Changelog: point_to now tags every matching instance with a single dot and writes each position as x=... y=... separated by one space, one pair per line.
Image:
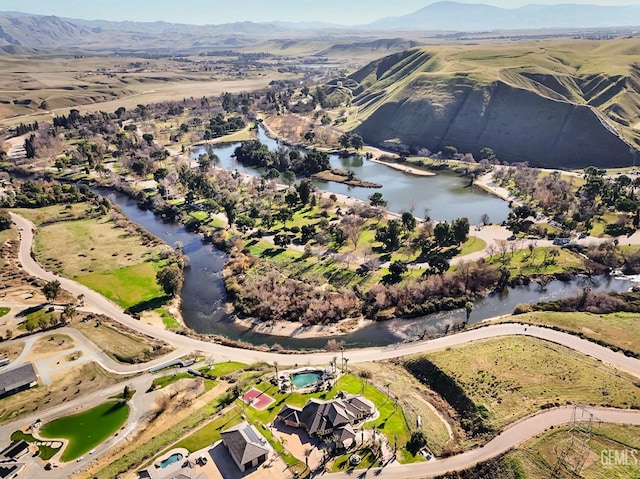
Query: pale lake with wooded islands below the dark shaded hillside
x=446 y=196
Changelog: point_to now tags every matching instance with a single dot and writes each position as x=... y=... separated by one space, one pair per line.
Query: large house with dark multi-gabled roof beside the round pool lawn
x=334 y=417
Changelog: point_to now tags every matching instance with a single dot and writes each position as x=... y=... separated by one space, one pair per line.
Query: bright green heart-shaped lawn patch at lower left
x=88 y=429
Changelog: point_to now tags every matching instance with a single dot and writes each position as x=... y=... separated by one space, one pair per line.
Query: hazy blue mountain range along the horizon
x=38 y=31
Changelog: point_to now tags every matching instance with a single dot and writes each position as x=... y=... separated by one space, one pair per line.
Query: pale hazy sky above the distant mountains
x=226 y=11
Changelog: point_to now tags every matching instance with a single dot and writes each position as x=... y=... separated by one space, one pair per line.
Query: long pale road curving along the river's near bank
x=98 y=303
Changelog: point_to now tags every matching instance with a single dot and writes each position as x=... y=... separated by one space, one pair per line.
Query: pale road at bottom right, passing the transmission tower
x=512 y=436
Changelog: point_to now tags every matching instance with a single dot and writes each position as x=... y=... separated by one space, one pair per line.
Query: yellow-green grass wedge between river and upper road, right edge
x=618 y=329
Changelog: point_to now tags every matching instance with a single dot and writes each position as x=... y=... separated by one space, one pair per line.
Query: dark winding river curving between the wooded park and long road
x=203 y=294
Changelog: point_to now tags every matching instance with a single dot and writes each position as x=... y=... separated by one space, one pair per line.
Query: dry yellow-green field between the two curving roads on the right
x=516 y=376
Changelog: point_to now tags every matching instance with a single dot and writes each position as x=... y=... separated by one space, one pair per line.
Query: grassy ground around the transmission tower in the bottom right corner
x=612 y=452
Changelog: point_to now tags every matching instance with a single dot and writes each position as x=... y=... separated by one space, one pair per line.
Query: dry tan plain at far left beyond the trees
x=36 y=87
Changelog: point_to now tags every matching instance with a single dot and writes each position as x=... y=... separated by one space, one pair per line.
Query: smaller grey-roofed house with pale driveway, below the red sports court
x=247 y=446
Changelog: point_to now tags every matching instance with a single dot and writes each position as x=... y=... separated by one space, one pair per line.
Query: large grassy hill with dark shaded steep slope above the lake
x=566 y=103
